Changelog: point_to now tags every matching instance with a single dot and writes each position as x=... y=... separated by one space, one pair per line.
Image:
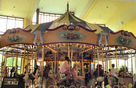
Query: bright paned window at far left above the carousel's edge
x=10 y=22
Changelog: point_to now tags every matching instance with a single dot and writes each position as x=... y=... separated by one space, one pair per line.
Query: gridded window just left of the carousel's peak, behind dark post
x=45 y=17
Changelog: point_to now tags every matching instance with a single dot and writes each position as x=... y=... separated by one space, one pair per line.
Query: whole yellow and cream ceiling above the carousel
x=113 y=13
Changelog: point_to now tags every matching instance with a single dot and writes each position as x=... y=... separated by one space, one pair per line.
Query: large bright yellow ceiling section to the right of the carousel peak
x=113 y=13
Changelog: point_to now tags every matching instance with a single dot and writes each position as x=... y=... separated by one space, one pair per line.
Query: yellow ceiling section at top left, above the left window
x=18 y=8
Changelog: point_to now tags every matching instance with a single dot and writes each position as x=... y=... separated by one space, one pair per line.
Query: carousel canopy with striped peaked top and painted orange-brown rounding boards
x=67 y=29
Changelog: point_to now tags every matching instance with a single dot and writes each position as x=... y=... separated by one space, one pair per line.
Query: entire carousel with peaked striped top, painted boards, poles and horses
x=43 y=49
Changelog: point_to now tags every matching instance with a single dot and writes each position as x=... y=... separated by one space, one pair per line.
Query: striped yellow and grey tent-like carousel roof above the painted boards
x=68 y=19
